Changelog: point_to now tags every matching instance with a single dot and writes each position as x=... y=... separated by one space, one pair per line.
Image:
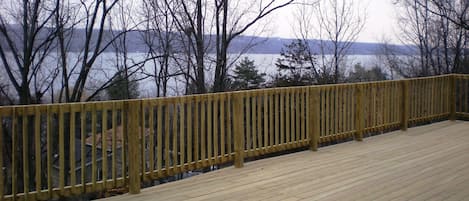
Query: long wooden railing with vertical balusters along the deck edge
x=62 y=150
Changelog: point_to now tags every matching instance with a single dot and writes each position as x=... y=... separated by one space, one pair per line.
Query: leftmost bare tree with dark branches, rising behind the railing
x=26 y=42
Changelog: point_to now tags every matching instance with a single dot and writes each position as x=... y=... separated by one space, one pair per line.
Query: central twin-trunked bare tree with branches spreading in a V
x=229 y=19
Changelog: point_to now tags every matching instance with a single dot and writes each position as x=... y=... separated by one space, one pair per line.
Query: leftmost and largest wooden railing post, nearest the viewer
x=133 y=109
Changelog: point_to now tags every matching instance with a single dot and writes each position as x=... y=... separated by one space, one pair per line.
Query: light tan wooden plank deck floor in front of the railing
x=424 y=163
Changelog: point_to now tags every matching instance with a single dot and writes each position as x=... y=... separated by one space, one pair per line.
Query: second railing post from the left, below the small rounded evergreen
x=238 y=118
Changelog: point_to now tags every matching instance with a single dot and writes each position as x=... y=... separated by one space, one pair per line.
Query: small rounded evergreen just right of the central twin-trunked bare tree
x=246 y=76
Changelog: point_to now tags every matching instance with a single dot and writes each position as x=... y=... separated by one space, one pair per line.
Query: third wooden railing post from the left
x=314 y=106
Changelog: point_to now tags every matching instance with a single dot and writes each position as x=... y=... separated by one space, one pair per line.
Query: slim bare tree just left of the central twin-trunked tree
x=163 y=43
